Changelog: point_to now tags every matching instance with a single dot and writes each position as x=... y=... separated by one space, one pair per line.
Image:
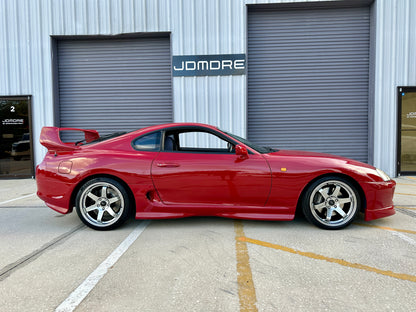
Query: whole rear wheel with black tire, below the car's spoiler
x=102 y=204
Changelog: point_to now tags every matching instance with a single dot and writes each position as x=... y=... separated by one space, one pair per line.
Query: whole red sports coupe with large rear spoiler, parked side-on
x=188 y=169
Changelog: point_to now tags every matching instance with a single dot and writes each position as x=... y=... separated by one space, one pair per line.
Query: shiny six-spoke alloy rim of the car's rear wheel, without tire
x=101 y=204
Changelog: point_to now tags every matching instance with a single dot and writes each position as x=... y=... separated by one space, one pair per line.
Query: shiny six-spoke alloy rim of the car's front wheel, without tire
x=333 y=203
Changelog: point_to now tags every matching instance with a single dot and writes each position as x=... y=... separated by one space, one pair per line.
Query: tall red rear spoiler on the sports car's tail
x=50 y=138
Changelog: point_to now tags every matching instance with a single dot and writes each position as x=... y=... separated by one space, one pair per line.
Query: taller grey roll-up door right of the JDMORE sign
x=308 y=79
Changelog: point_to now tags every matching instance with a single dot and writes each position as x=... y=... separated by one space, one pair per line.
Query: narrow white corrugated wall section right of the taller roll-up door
x=395 y=65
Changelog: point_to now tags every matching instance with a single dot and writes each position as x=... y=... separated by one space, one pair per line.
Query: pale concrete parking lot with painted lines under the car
x=52 y=262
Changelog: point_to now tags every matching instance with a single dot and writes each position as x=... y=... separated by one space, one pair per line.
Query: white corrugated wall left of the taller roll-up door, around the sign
x=197 y=27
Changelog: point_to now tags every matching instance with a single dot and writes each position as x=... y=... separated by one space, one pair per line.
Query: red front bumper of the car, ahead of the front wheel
x=379 y=196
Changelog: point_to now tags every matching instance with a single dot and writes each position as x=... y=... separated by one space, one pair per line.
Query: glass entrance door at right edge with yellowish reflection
x=407 y=130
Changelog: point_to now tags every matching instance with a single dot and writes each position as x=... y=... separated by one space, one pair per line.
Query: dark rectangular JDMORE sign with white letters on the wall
x=209 y=65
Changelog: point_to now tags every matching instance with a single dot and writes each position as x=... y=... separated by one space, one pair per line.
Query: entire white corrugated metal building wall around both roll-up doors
x=196 y=27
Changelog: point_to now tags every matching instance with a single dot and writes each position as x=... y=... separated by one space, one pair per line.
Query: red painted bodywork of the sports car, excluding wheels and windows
x=246 y=185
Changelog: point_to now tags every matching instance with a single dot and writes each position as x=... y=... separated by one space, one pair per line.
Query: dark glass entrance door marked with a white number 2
x=15 y=137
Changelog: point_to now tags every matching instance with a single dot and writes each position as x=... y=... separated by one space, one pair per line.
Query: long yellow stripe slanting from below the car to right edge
x=312 y=255
